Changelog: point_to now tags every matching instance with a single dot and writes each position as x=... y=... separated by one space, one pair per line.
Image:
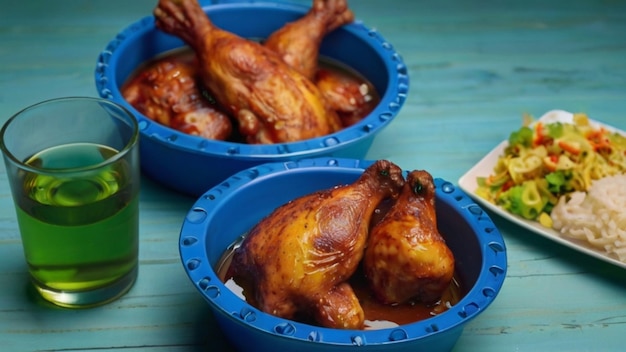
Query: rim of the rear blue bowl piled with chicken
x=390 y=103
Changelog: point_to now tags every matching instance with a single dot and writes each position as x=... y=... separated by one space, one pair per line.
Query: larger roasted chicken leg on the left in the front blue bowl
x=298 y=259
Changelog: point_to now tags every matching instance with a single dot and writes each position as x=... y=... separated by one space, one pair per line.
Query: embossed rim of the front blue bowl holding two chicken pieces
x=477 y=299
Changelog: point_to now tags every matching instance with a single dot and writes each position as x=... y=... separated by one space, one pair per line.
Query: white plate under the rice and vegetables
x=485 y=167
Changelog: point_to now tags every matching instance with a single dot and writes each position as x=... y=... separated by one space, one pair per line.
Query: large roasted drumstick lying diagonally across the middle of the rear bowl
x=271 y=101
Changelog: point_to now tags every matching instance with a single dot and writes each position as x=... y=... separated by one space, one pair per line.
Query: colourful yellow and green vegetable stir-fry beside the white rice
x=543 y=162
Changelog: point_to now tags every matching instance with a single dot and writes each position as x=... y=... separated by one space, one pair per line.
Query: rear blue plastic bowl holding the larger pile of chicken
x=192 y=164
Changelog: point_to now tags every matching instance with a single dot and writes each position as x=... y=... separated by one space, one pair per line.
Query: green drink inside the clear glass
x=94 y=210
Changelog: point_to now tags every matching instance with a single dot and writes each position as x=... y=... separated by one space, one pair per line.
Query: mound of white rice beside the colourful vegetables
x=597 y=217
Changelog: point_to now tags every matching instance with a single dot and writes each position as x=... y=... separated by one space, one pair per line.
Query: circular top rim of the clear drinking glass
x=133 y=140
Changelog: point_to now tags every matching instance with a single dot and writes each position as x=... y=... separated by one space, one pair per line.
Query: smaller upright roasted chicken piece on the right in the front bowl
x=406 y=257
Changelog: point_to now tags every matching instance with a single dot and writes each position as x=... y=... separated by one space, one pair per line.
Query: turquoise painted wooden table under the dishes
x=475 y=68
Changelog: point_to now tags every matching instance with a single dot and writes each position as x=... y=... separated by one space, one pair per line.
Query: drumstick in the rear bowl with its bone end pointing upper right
x=298 y=42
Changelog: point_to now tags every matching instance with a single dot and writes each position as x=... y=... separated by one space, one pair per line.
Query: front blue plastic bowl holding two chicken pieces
x=227 y=211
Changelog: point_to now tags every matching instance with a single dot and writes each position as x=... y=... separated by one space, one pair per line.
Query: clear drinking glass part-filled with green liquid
x=73 y=167
